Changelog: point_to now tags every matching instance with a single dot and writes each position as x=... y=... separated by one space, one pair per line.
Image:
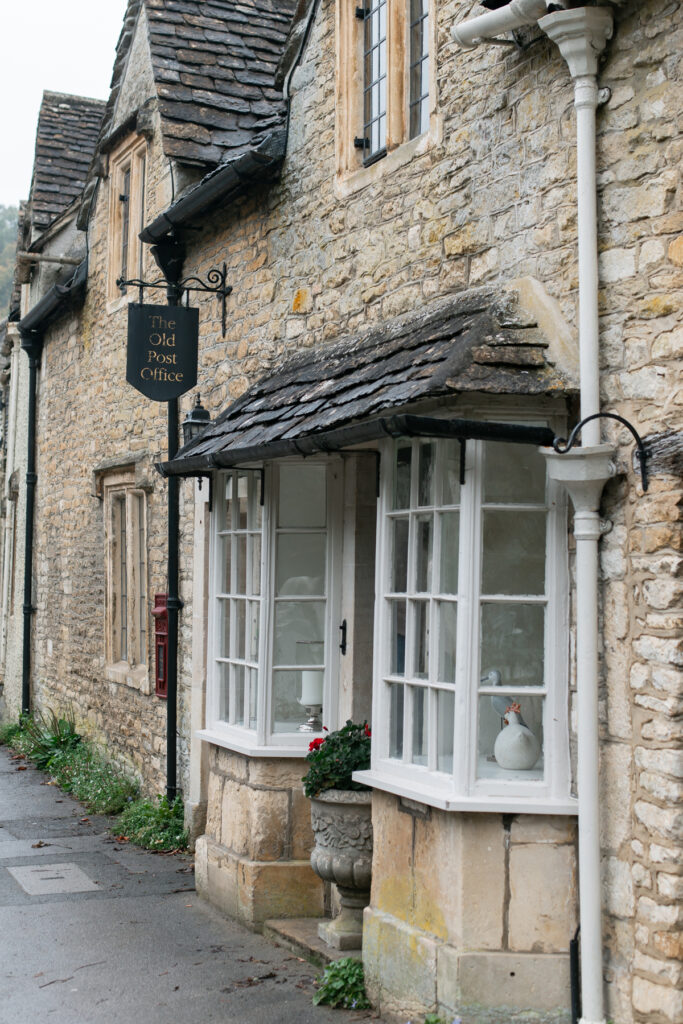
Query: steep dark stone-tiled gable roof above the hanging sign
x=215 y=66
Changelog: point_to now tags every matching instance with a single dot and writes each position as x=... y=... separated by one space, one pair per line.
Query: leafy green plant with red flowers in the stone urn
x=334 y=759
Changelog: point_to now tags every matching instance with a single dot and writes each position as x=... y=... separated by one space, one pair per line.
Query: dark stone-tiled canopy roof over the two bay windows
x=331 y=397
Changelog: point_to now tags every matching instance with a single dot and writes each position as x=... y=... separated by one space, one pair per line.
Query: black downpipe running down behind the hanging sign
x=169 y=257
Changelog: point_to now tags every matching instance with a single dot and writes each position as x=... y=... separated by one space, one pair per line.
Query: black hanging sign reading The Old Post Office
x=162 y=351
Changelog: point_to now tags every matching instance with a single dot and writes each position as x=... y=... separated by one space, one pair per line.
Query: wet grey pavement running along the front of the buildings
x=93 y=930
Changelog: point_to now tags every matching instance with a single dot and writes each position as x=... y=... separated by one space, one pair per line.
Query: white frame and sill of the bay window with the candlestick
x=262 y=742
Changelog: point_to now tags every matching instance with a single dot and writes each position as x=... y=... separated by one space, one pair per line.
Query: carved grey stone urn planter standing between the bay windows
x=344 y=855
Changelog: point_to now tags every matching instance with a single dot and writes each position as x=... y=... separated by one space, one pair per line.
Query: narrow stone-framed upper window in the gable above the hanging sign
x=127 y=211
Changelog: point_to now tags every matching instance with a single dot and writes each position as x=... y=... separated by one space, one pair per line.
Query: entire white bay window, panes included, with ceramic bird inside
x=471 y=622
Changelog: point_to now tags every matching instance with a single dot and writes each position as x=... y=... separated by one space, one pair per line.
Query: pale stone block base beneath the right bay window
x=471 y=914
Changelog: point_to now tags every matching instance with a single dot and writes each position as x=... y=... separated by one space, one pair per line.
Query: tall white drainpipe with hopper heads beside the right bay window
x=581 y=35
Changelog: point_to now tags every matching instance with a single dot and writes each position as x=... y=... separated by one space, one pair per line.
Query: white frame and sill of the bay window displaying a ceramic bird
x=462 y=791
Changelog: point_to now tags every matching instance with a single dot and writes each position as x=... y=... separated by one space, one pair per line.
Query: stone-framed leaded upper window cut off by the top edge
x=386 y=74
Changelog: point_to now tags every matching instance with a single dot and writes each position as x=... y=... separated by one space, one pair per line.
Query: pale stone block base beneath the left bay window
x=253 y=862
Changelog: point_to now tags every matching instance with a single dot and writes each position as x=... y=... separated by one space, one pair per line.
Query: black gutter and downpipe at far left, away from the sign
x=32 y=329
